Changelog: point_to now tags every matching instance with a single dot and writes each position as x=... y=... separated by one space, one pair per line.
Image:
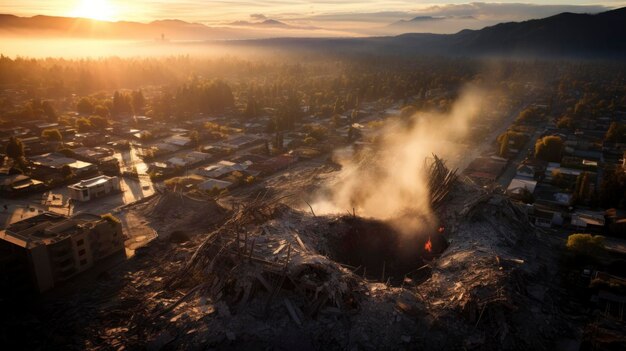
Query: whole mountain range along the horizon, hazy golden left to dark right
x=565 y=34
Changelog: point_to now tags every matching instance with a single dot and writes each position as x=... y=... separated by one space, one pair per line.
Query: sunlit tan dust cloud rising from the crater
x=389 y=181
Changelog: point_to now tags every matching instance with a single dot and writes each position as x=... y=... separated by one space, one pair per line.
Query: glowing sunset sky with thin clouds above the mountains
x=359 y=16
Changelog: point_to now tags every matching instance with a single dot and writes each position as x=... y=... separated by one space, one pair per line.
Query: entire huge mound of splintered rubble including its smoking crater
x=273 y=277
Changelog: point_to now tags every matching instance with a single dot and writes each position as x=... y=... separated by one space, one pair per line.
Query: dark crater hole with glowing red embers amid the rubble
x=380 y=252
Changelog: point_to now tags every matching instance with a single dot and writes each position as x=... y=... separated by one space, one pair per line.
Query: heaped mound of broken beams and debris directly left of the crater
x=265 y=256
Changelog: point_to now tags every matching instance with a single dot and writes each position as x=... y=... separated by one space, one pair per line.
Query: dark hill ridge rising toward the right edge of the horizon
x=566 y=34
